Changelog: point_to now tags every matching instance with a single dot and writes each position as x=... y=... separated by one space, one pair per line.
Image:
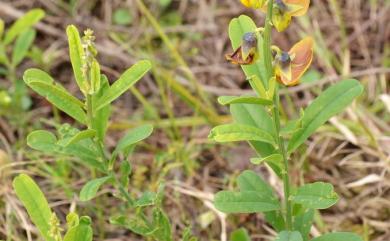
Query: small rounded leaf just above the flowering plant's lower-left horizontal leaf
x=249 y=181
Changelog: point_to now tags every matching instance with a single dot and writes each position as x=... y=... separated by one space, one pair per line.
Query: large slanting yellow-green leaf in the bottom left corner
x=35 y=202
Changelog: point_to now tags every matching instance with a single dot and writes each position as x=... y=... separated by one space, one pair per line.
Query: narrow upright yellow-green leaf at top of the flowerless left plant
x=76 y=53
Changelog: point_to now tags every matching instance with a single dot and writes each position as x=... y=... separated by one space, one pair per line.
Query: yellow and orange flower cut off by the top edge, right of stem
x=284 y=10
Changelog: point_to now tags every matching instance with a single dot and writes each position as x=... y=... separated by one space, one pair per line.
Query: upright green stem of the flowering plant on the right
x=276 y=115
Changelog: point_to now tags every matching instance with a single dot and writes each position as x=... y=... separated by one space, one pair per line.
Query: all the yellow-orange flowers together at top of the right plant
x=289 y=66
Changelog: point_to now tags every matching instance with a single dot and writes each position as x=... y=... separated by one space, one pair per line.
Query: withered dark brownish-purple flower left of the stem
x=247 y=53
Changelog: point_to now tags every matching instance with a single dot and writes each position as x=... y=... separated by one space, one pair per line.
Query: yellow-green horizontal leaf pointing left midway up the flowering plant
x=239 y=132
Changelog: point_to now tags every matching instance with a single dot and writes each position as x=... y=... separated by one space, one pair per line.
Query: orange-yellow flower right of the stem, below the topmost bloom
x=291 y=65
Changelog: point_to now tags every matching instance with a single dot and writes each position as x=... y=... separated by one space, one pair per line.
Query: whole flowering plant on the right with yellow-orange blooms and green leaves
x=257 y=121
